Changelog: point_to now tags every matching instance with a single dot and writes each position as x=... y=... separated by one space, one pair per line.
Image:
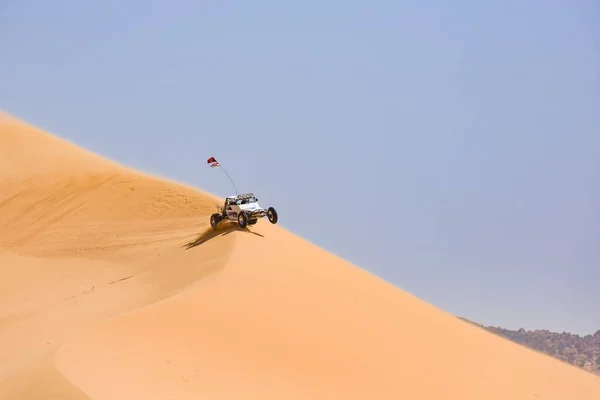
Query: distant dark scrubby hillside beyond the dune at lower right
x=583 y=352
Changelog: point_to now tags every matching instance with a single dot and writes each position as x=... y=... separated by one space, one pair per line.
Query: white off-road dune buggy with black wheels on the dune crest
x=244 y=210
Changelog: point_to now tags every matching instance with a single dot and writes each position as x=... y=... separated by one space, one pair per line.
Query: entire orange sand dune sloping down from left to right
x=111 y=290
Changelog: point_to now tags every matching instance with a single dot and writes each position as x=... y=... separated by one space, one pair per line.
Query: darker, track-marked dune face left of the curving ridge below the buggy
x=83 y=240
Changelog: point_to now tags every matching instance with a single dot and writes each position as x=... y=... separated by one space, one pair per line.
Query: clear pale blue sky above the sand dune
x=463 y=137
